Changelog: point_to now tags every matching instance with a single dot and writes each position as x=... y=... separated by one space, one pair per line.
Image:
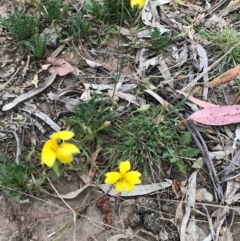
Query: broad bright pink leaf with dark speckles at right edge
x=217 y=116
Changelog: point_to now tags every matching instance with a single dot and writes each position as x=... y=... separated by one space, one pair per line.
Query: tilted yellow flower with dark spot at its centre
x=56 y=148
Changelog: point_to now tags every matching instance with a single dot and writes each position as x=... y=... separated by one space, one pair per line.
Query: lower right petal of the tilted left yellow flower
x=64 y=153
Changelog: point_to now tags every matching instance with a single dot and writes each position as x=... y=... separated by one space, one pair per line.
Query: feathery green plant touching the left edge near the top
x=20 y=25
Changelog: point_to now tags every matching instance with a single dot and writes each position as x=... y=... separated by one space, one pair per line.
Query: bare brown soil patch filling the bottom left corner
x=47 y=218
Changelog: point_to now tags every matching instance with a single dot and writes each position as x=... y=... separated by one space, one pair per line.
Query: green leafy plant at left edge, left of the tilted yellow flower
x=13 y=177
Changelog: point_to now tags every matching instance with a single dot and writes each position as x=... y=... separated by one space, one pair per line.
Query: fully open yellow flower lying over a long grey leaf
x=124 y=179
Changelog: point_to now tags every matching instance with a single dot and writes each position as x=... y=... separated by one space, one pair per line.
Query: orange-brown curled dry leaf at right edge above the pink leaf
x=225 y=77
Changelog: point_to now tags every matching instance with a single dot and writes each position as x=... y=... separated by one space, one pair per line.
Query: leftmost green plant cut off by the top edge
x=49 y=10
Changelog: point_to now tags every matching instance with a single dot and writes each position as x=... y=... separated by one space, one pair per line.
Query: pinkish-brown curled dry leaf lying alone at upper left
x=60 y=66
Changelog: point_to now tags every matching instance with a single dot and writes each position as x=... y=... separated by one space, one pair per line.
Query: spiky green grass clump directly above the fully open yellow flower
x=145 y=139
